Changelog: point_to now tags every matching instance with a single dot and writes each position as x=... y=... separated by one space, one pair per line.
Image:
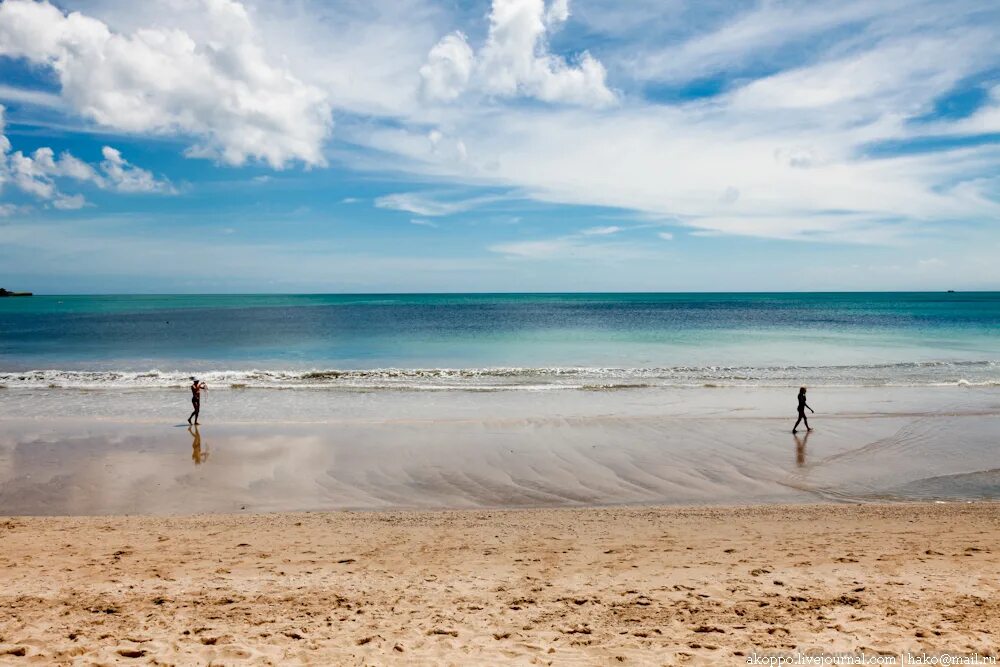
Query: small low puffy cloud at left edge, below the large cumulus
x=37 y=174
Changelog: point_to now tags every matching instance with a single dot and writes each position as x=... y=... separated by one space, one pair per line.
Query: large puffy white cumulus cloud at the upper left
x=222 y=91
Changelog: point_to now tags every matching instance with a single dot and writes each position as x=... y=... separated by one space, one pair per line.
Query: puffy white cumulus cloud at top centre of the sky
x=515 y=60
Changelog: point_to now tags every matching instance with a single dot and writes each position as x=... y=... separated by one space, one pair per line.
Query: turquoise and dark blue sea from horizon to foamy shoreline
x=508 y=340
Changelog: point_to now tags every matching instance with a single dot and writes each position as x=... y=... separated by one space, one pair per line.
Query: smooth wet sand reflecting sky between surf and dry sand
x=466 y=450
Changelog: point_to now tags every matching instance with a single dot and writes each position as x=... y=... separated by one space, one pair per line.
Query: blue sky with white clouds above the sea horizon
x=507 y=145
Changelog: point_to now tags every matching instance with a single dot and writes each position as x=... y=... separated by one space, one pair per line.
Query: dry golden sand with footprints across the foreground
x=590 y=586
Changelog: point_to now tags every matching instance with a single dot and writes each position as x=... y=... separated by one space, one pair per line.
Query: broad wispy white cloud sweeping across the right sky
x=792 y=154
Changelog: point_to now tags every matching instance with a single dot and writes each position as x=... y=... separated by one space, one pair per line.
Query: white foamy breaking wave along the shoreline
x=935 y=373
